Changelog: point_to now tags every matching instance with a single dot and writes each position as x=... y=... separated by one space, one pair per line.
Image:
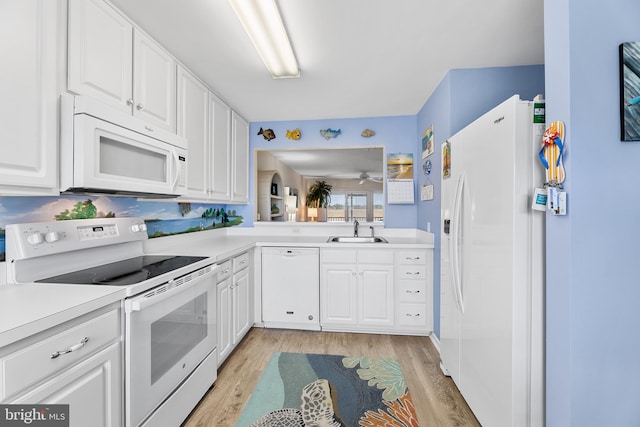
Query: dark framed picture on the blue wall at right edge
x=630 y=91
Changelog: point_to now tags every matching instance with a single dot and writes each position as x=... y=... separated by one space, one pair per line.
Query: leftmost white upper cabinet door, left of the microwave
x=28 y=107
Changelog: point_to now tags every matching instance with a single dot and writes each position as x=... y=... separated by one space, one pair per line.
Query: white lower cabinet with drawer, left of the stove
x=88 y=378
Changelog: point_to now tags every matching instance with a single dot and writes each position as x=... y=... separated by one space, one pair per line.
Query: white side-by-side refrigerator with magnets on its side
x=492 y=267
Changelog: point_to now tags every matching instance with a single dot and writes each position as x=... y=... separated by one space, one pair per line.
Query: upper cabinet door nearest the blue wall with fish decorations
x=240 y=159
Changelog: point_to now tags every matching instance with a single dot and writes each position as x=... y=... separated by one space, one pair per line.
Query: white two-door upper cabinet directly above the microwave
x=112 y=62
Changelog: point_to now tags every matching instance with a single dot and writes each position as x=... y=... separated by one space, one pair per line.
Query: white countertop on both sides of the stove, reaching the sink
x=26 y=309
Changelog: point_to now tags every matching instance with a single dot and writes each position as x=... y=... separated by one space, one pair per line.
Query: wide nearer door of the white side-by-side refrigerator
x=487 y=264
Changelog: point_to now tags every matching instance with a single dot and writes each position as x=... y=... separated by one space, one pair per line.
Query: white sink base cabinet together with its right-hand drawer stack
x=377 y=290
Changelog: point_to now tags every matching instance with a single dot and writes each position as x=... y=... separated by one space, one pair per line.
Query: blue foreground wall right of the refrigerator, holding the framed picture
x=593 y=290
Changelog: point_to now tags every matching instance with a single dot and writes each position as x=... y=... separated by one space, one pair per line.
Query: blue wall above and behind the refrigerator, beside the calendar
x=461 y=97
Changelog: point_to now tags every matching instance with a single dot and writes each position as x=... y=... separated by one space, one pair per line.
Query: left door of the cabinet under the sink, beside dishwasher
x=338 y=294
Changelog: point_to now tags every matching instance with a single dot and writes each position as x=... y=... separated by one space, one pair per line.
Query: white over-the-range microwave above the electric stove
x=103 y=150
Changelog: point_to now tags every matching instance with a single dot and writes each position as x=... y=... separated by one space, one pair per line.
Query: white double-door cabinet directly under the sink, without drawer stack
x=356 y=290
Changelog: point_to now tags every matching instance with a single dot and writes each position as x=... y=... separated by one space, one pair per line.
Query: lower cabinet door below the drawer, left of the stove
x=92 y=388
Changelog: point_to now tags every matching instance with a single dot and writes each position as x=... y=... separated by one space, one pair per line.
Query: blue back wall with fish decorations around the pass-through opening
x=396 y=134
